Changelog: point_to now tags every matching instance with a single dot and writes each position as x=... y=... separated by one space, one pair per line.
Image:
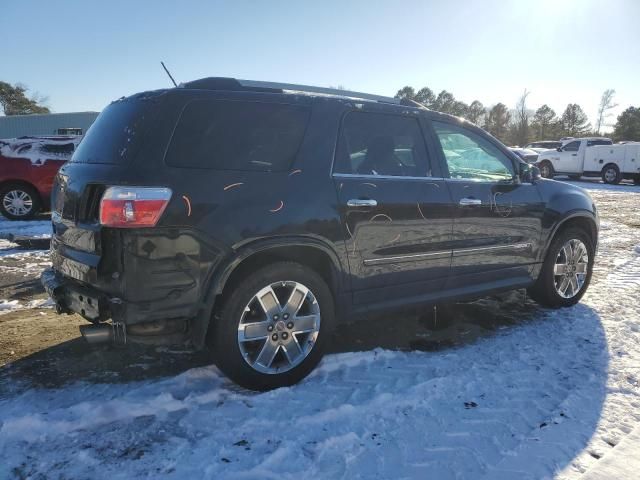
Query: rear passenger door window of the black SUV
x=381 y=144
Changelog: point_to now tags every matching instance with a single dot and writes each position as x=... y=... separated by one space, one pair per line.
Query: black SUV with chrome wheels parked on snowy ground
x=251 y=217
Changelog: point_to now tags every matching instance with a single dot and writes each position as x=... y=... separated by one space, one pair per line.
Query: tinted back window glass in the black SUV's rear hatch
x=116 y=134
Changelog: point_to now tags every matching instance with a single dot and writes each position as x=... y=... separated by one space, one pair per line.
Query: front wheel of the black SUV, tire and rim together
x=561 y=266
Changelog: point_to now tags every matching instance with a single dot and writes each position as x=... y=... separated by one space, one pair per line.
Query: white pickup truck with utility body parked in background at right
x=593 y=156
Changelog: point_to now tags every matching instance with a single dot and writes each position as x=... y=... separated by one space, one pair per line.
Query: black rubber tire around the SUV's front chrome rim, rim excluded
x=543 y=290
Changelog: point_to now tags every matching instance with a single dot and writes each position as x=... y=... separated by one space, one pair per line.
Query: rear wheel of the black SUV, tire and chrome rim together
x=272 y=329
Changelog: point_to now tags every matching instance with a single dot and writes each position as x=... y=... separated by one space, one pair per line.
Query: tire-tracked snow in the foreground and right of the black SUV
x=547 y=395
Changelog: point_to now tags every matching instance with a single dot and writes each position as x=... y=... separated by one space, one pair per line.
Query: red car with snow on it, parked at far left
x=27 y=168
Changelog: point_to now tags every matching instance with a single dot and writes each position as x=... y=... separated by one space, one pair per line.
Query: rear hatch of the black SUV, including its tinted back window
x=107 y=155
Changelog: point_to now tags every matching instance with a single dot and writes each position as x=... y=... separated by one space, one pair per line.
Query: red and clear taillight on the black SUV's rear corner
x=133 y=207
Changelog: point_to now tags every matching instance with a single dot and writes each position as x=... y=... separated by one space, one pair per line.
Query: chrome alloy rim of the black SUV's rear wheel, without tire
x=279 y=327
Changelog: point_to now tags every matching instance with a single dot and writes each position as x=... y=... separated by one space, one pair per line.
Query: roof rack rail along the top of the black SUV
x=222 y=83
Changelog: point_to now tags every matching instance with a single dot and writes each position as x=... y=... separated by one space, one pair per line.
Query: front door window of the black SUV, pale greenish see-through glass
x=471 y=157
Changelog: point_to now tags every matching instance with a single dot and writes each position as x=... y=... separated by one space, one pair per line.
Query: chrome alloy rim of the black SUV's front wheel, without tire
x=570 y=269
